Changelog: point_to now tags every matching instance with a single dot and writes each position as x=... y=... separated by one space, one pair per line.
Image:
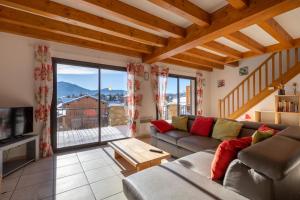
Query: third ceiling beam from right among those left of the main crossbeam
x=137 y=16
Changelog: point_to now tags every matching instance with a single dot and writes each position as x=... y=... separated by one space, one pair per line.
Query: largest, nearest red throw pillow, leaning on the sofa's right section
x=225 y=153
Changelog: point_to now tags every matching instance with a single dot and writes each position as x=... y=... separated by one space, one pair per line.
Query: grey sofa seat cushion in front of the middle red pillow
x=198 y=143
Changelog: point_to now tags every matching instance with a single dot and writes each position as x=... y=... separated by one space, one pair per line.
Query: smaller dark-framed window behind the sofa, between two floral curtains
x=180 y=98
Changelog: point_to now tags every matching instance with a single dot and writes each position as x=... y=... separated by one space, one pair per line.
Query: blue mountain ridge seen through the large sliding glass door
x=65 y=89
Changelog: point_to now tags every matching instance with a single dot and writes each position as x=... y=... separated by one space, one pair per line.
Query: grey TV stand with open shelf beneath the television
x=32 y=153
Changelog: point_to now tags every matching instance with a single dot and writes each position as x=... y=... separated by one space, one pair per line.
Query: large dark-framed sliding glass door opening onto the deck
x=89 y=104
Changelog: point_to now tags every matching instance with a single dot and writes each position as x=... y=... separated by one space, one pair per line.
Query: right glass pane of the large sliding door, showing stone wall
x=113 y=108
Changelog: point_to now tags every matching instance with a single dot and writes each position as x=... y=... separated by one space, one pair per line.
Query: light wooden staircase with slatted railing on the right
x=278 y=68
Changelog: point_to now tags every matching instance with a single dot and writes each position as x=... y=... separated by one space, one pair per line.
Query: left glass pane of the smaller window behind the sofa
x=171 y=105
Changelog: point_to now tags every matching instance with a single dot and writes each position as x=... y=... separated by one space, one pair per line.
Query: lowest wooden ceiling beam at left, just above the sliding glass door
x=55 y=37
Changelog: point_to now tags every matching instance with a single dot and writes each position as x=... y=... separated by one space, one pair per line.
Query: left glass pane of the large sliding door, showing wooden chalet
x=77 y=105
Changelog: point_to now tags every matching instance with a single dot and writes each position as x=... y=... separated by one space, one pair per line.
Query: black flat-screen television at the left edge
x=15 y=122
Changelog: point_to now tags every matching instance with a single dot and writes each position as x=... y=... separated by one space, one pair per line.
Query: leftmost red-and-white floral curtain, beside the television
x=43 y=89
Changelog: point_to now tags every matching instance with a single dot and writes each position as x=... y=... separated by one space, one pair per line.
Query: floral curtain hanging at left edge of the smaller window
x=159 y=79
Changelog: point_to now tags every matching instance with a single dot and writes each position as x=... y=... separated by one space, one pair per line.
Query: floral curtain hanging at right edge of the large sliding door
x=135 y=75
